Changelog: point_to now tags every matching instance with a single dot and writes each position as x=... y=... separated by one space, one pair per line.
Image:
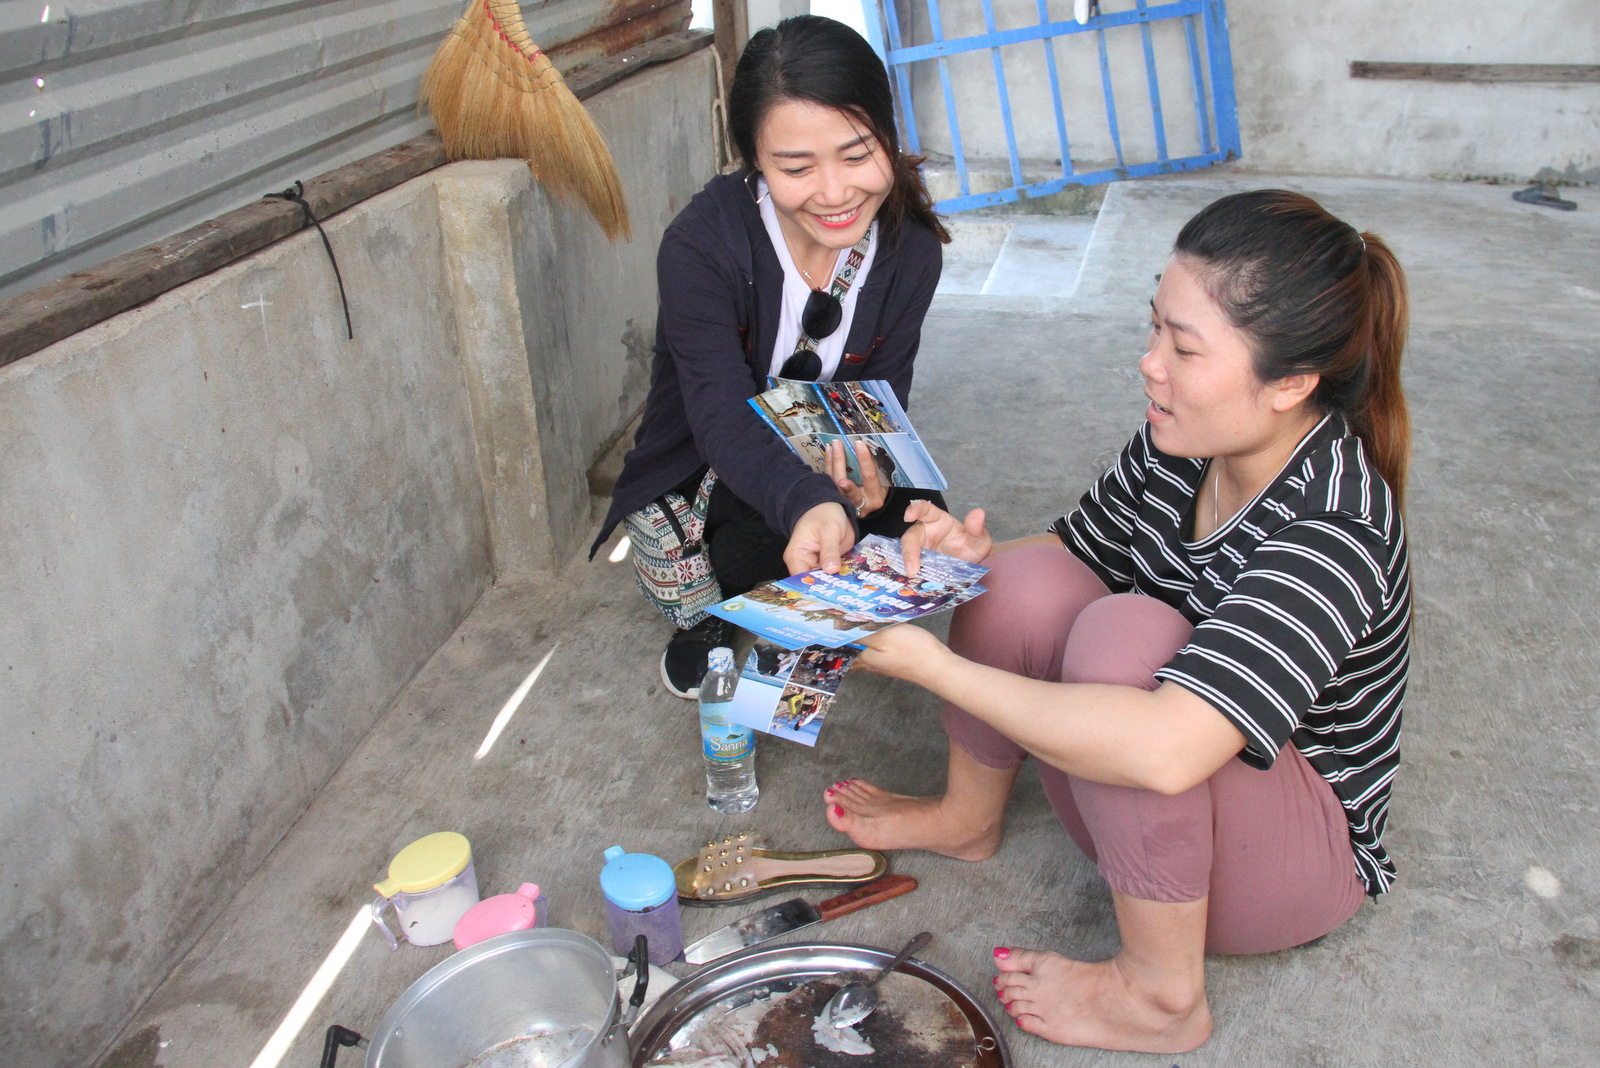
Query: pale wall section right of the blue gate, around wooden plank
x=1300 y=111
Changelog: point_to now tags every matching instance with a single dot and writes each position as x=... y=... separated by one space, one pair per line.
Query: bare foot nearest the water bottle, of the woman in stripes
x=879 y=819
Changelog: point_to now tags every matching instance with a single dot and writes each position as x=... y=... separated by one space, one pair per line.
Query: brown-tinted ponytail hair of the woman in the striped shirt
x=1313 y=297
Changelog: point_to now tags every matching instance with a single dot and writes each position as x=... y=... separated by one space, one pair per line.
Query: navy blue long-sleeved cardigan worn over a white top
x=721 y=289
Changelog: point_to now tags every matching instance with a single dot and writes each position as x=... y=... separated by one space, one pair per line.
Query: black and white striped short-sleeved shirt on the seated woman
x=1302 y=607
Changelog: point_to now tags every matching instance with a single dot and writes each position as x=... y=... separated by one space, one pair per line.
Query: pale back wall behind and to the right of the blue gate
x=1300 y=111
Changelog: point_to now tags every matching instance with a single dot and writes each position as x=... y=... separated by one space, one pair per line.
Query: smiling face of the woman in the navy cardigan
x=828 y=175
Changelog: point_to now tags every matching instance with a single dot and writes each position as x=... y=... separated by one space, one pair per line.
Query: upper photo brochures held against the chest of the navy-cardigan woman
x=812 y=415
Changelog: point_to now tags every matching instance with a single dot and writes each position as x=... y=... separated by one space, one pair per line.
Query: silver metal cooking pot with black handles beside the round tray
x=527 y=998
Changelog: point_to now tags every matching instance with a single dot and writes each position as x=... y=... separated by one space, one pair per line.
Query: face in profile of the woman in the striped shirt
x=1201 y=380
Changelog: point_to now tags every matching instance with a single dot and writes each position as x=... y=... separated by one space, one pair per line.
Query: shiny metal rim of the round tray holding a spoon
x=762 y=971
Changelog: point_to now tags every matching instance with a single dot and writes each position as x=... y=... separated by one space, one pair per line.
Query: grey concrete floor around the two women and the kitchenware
x=1486 y=954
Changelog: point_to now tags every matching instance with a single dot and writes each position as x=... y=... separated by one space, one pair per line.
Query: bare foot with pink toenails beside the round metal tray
x=1102 y=1005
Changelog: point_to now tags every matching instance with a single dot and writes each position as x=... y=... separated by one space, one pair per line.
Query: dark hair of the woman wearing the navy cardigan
x=822 y=62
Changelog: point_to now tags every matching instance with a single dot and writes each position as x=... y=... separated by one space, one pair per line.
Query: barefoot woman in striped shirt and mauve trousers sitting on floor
x=1209 y=656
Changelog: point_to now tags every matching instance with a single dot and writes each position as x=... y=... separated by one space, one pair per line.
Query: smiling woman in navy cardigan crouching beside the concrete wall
x=750 y=281
